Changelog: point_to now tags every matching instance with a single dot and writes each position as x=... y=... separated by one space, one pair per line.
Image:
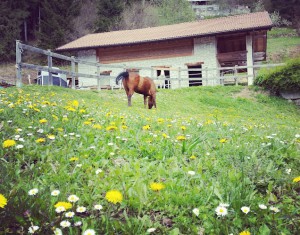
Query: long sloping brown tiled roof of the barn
x=236 y=23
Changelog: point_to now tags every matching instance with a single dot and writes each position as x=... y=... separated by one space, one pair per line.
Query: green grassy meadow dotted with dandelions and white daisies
x=208 y=160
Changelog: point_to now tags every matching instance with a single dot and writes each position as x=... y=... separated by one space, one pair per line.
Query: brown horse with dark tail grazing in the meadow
x=133 y=82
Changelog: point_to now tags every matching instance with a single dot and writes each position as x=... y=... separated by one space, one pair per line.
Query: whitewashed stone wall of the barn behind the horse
x=204 y=50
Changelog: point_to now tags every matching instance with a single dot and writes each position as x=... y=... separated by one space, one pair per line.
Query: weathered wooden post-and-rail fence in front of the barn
x=223 y=75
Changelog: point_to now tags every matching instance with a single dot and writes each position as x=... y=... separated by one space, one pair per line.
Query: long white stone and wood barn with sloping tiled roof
x=211 y=43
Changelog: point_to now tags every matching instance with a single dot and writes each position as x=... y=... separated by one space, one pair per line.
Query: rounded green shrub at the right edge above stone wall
x=280 y=78
